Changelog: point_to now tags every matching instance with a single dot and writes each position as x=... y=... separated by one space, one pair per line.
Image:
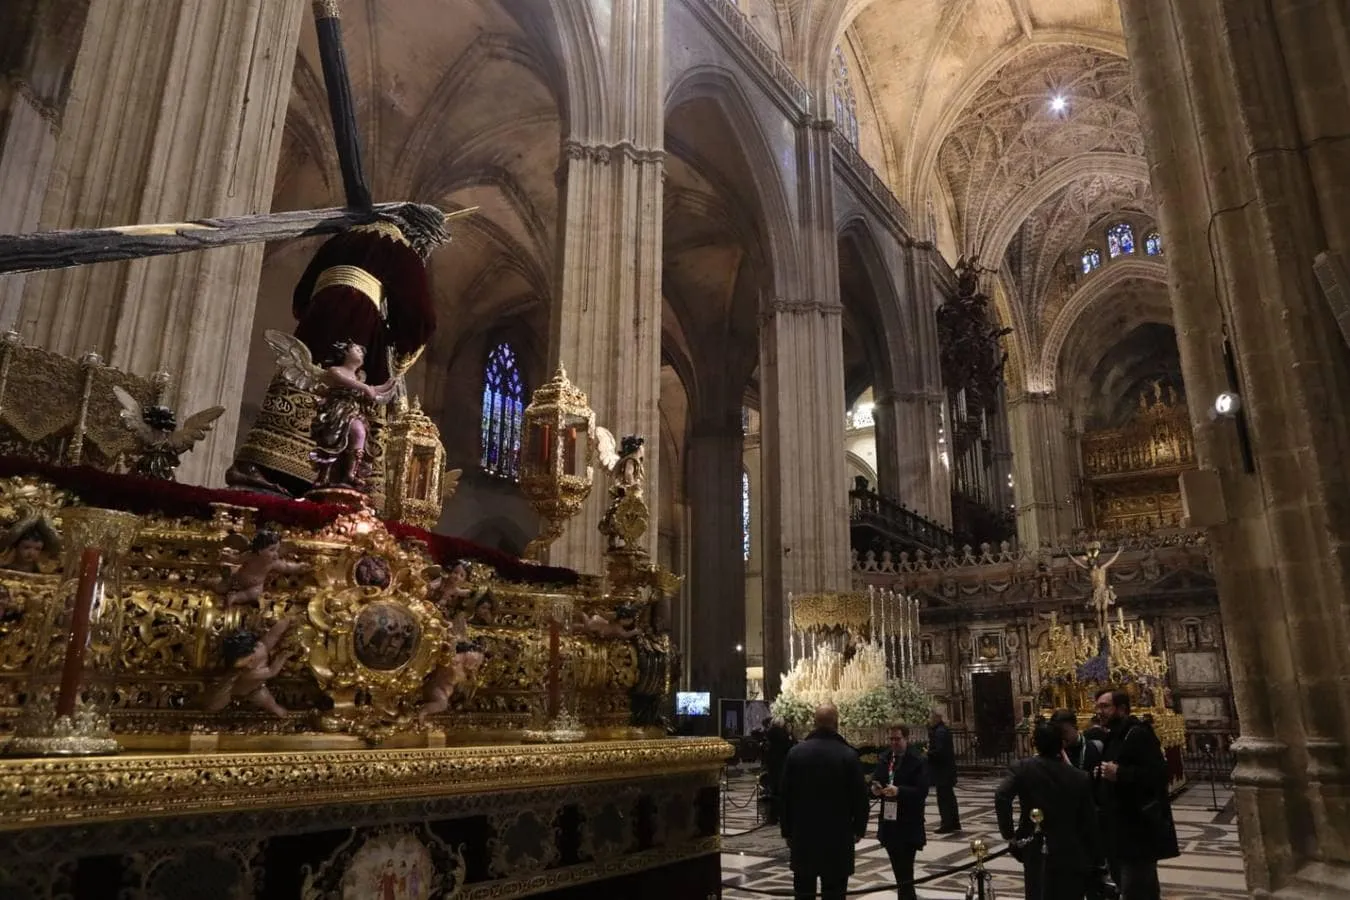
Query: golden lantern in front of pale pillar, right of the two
x=556 y=457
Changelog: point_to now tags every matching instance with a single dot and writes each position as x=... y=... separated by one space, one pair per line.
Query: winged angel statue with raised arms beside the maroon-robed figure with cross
x=342 y=423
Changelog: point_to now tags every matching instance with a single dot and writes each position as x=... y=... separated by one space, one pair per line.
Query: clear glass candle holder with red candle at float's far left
x=72 y=683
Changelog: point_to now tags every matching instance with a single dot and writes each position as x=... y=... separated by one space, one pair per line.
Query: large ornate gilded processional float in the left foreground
x=124 y=609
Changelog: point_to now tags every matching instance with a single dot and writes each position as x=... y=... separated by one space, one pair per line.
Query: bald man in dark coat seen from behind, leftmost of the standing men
x=824 y=809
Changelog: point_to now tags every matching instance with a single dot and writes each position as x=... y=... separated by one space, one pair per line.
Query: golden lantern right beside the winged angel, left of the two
x=416 y=463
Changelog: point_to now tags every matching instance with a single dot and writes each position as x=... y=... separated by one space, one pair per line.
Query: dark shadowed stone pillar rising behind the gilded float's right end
x=718 y=577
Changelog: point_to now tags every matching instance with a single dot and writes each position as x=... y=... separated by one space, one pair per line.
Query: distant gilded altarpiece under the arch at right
x=1131 y=474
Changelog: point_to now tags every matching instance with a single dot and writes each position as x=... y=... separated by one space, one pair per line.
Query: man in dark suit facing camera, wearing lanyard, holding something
x=901 y=782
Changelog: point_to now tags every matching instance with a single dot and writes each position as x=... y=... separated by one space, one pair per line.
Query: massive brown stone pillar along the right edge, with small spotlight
x=1247 y=118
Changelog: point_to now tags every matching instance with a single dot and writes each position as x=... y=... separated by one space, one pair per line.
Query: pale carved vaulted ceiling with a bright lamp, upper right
x=963 y=94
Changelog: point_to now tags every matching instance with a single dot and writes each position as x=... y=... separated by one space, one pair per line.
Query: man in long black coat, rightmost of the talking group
x=1136 y=810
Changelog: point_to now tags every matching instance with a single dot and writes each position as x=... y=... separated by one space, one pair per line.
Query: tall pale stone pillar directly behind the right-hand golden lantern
x=607 y=326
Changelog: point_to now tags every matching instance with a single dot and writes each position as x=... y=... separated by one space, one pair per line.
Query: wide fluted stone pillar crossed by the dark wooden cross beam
x=176 y=113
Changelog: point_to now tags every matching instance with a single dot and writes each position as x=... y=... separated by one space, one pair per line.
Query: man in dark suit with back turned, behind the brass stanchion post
x=1060 y=867
